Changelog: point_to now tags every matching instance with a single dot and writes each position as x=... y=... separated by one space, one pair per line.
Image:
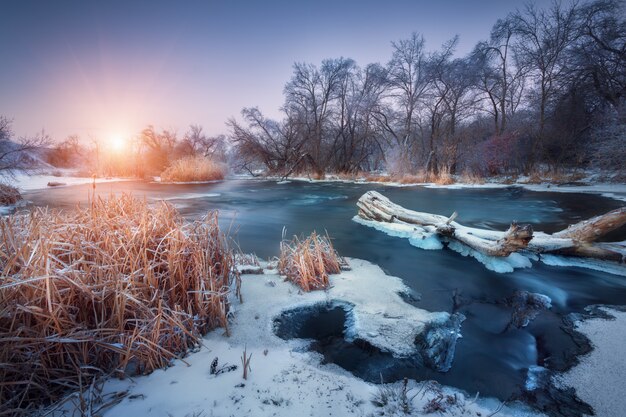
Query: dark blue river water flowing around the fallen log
x=489 y=358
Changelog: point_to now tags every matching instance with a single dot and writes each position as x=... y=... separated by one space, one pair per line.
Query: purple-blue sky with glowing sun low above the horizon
x=110 y=68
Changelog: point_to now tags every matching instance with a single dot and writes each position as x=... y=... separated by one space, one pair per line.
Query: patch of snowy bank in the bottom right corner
x=599 y=378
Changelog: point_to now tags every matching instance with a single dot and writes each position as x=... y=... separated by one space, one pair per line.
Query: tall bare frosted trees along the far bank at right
x=545 y=90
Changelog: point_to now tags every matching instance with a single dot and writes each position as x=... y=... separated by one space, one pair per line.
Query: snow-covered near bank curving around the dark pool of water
x=287 y=380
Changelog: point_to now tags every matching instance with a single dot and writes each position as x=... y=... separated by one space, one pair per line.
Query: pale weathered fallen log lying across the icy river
x=576 y=240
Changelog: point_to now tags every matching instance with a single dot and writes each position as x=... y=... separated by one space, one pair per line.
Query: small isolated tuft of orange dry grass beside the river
x=308 y=262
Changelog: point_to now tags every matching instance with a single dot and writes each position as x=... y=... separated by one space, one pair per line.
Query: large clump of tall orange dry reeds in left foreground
x=118 y=287
